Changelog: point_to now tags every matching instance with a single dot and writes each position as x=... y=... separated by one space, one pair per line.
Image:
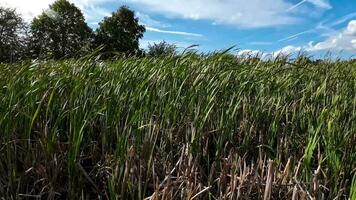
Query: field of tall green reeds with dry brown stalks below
x=185 y=127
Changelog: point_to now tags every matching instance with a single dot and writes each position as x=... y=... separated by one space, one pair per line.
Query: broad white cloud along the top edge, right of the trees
x=252 y=13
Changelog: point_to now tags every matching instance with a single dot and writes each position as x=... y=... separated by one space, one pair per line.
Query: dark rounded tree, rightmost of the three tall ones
x=120 y=32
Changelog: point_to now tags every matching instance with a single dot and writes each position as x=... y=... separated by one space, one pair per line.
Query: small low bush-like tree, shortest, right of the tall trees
x=161 y=49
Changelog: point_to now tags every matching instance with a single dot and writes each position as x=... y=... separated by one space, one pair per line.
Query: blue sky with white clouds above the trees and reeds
x=274 y=27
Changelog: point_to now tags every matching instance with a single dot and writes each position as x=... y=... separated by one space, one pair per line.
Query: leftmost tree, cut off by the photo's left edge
x=12 y=35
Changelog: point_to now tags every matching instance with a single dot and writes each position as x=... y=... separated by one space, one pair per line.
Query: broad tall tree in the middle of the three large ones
x=60 y=31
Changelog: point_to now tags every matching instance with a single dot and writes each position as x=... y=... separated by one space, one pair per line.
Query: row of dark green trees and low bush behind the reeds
x=61 y=32
